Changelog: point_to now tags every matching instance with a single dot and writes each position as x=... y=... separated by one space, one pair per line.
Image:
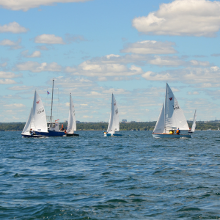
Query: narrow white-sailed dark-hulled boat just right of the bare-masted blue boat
x=71 y=127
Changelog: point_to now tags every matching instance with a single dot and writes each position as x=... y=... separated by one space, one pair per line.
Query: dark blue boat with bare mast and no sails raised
x=52 y=127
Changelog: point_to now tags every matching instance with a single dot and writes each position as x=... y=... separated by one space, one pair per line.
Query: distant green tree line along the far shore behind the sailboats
x=135 y=126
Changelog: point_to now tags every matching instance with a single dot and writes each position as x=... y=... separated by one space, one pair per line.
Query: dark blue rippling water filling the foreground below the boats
x=96 y=177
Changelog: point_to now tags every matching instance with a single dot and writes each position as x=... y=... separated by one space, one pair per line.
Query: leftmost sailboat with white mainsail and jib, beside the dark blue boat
x=36 y=120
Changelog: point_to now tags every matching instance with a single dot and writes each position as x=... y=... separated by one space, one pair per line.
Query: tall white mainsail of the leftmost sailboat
x=39 y=113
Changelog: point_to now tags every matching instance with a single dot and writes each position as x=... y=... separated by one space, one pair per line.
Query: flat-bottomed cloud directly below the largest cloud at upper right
x=149 y=47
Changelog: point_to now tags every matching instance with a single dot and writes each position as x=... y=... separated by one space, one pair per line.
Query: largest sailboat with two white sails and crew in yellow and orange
x=171 y=119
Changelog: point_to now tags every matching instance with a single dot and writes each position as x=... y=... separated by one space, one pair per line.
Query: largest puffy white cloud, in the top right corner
x=182 y=17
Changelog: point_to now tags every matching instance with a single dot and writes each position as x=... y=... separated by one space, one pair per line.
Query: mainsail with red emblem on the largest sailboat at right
x=174 y=116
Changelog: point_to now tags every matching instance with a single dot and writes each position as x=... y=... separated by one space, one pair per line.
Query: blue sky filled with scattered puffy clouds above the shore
x=93 y=48
